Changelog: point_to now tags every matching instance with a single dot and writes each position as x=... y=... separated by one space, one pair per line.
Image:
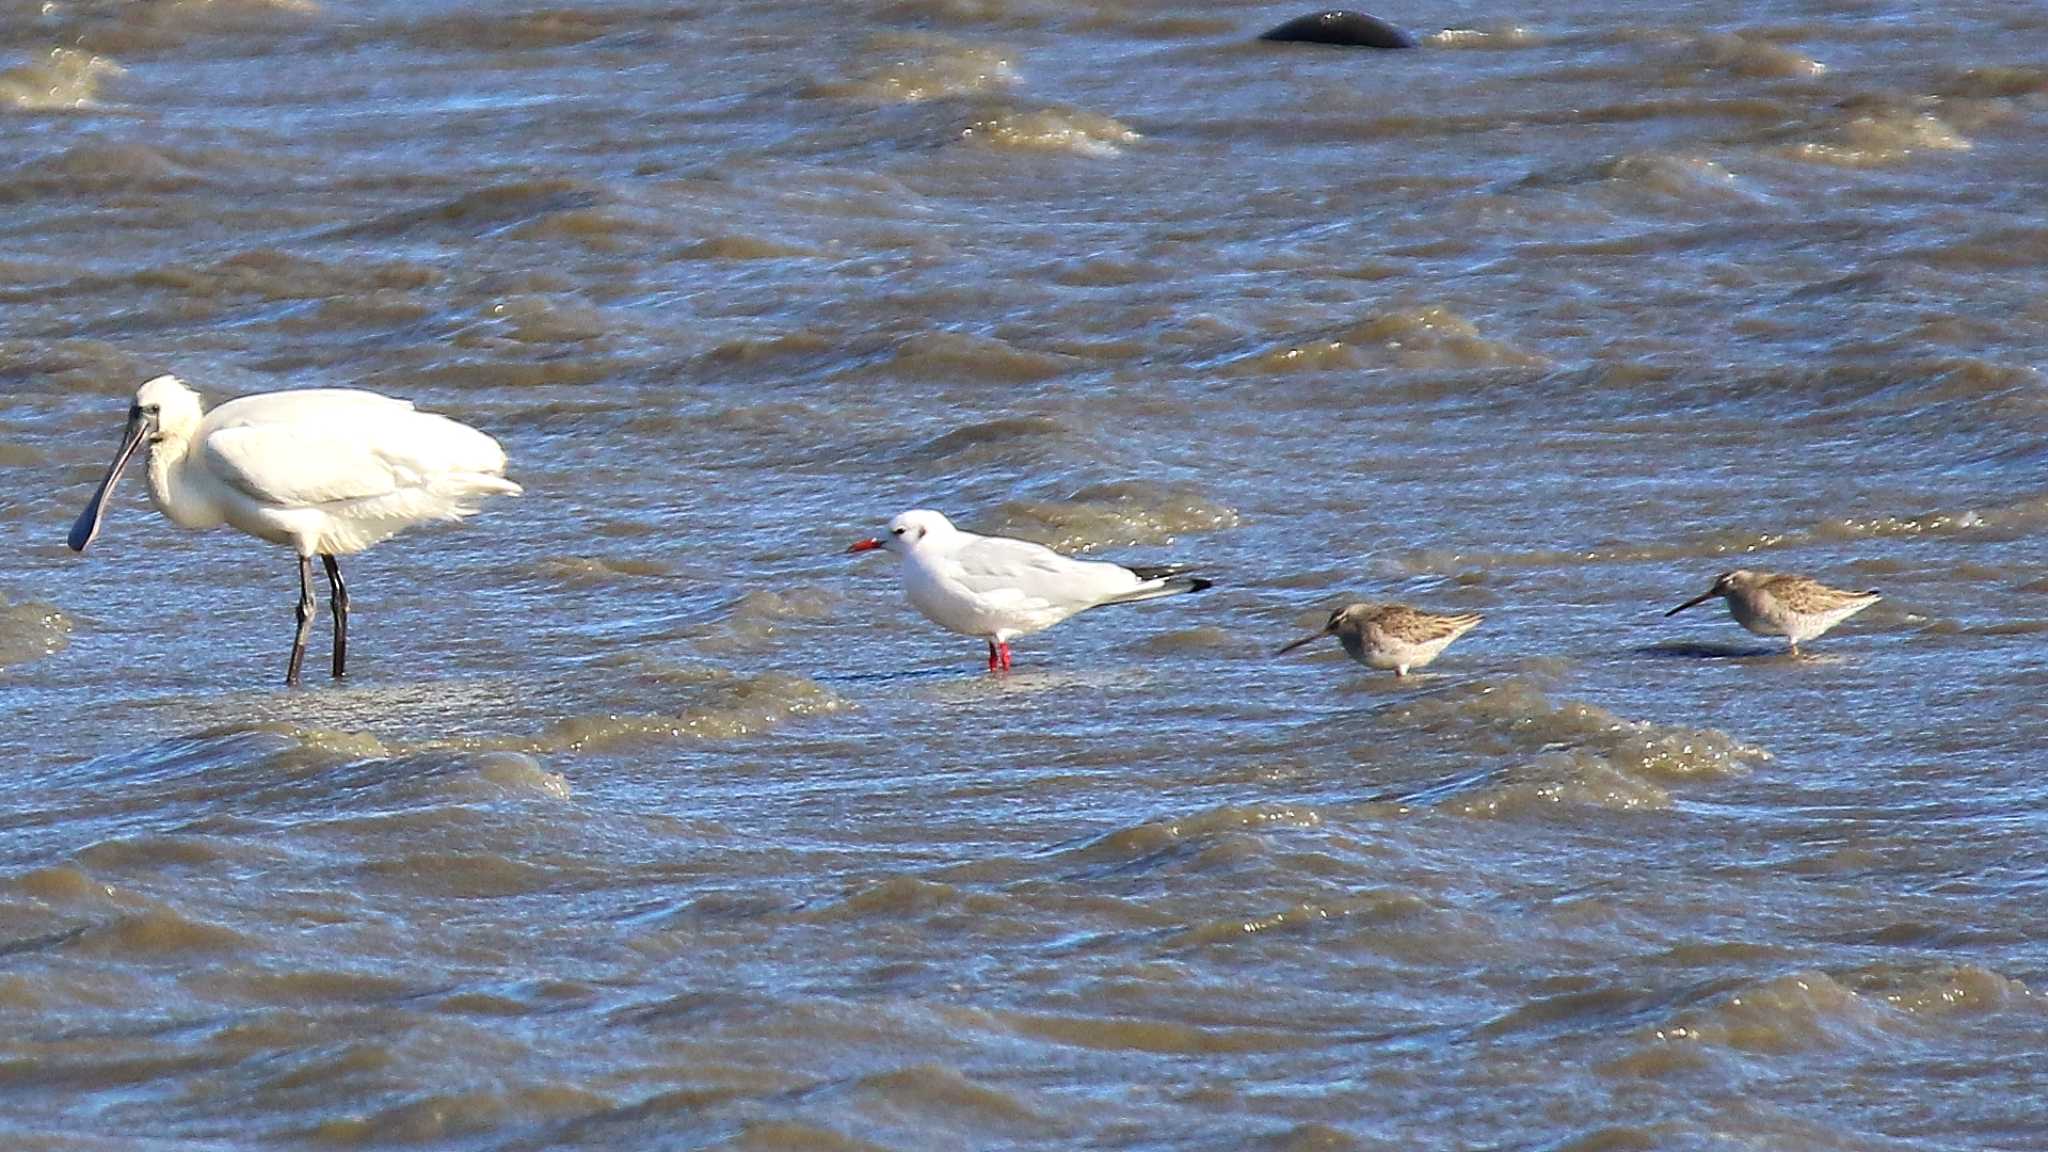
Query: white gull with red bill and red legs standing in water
x=1000 y=589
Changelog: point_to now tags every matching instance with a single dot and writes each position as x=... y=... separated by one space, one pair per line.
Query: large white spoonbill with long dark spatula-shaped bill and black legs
x=325 y=470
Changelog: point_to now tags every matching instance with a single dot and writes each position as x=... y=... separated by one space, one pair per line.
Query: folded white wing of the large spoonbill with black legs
x=325 y=446
